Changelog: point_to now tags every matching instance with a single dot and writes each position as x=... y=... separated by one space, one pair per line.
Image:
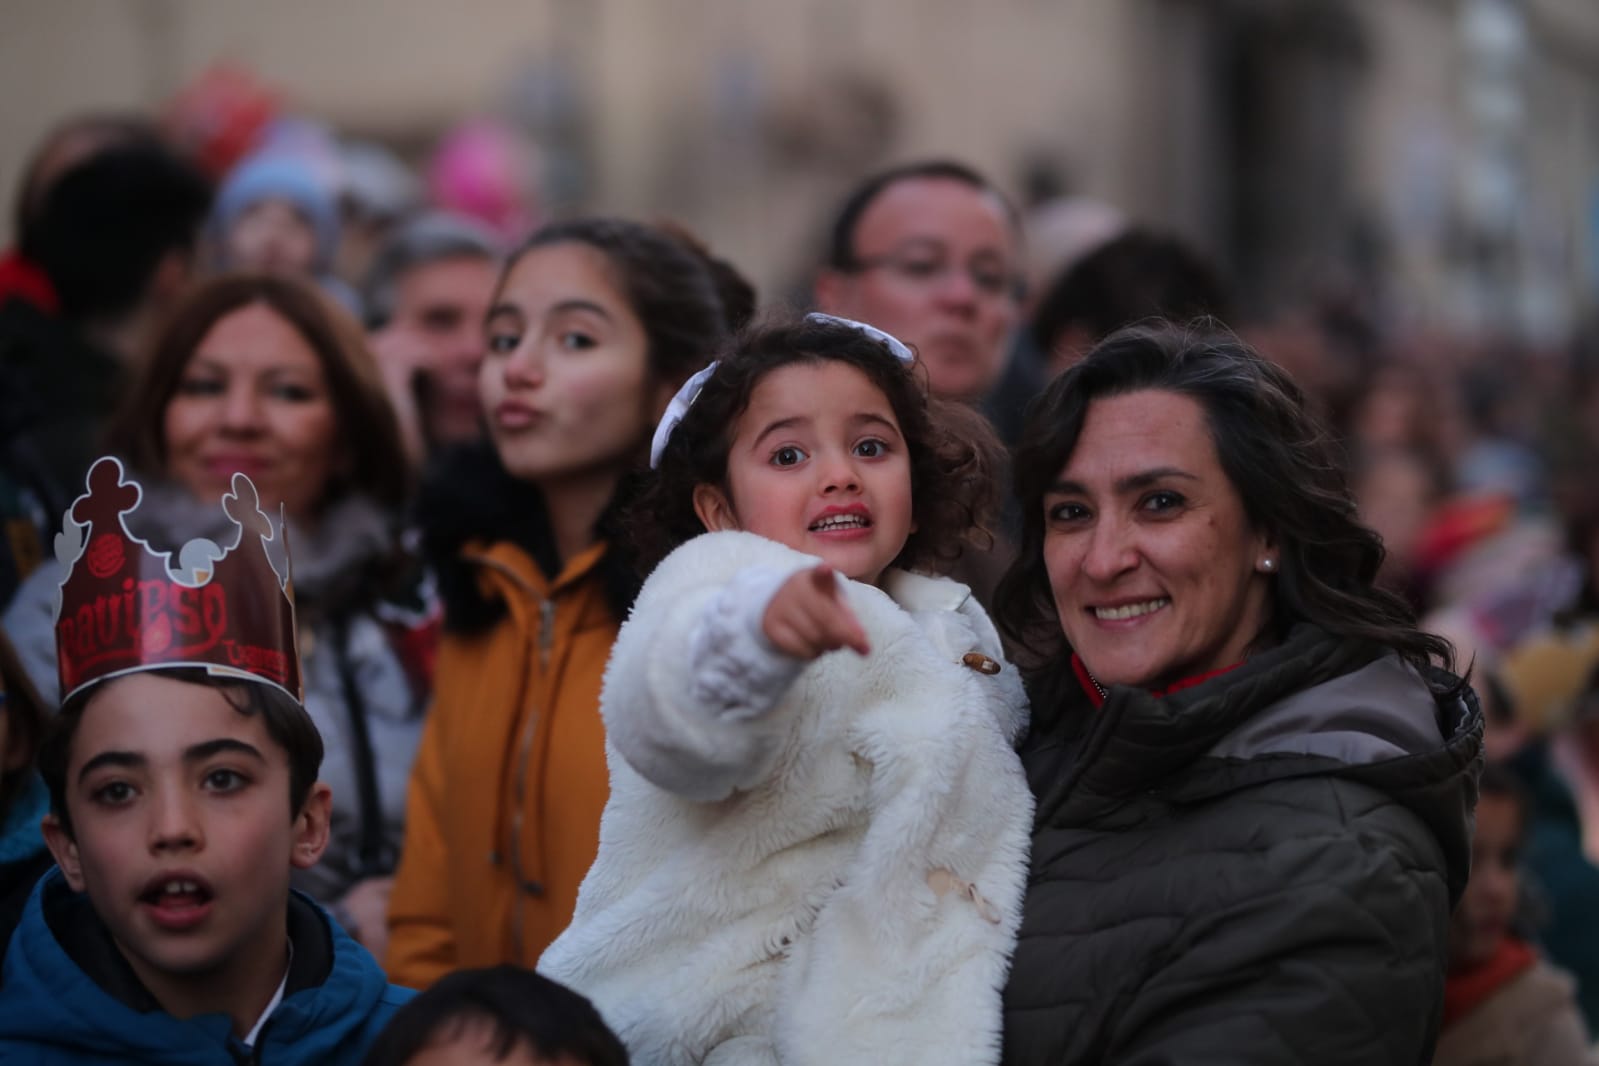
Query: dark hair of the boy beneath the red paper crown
x=287 y=723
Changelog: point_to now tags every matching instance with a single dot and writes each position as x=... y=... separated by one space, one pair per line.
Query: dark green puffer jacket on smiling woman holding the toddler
x=1253 y=870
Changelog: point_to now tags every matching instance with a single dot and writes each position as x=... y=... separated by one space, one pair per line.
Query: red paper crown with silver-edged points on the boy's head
x=124 y=608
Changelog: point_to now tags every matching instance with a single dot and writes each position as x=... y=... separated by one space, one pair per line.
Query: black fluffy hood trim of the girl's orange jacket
x=469 y=496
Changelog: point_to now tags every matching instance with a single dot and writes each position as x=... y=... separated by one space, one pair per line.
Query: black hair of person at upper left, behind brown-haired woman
x=106 y=226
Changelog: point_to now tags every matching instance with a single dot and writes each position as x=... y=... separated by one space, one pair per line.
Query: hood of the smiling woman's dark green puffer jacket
x=1314 y=707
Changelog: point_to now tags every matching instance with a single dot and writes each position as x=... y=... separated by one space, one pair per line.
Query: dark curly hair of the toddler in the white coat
x=955 y=458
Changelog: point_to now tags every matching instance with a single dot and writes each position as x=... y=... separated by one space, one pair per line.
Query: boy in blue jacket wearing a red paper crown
x=183 y=792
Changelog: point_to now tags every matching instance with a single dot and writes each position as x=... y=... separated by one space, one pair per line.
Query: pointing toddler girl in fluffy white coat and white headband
x=816 y=841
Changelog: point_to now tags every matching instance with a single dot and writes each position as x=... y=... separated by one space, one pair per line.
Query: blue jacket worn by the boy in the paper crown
x=54 y=1012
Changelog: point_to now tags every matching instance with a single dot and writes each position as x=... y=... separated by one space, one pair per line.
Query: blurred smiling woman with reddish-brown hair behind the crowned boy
x=265 y=376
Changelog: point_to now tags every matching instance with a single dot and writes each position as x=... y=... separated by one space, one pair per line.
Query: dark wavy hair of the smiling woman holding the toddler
x=1285 y=467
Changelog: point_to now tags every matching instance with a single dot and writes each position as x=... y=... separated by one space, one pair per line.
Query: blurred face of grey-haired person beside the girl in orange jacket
x=444 y=304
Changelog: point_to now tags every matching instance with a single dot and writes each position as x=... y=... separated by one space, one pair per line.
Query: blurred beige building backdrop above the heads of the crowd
x=1441 y=156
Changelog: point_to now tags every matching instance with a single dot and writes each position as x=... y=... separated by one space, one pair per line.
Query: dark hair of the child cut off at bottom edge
x=519 y=1008
